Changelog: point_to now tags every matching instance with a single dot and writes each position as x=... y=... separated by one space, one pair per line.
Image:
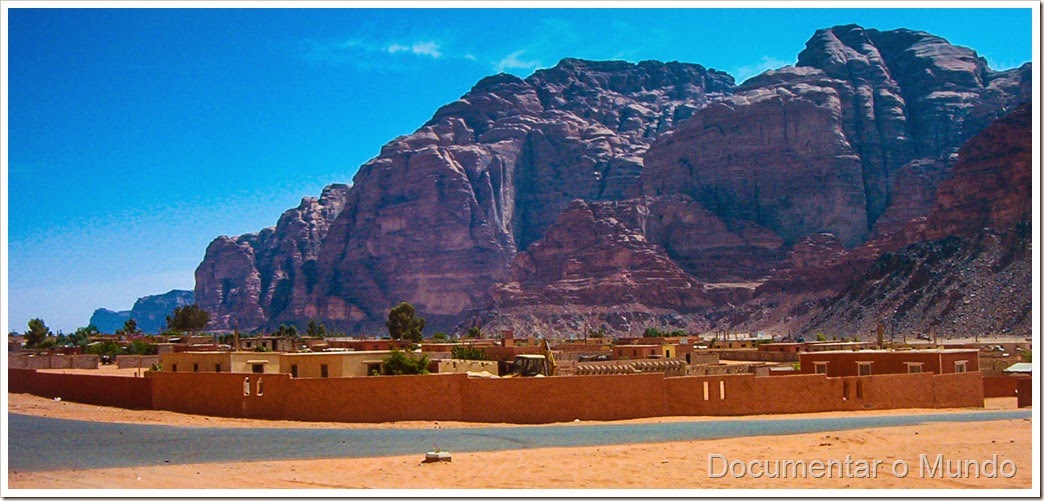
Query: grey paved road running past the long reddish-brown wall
x=42 y=444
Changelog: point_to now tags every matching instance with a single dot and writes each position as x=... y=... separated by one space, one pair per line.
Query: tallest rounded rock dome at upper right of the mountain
x=832 y=145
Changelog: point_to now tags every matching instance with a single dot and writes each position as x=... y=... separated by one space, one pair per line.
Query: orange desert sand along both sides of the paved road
x=680 y=465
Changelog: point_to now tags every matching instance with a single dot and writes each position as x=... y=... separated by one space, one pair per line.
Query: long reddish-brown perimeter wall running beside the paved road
x=455 y=397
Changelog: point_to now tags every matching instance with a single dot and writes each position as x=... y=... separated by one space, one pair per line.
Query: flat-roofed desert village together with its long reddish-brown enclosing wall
x=526 y=380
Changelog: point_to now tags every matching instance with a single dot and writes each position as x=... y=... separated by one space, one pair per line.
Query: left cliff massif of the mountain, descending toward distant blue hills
x=439 y=216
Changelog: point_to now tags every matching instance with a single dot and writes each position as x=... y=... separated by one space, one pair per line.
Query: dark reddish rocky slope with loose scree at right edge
x=963 y=271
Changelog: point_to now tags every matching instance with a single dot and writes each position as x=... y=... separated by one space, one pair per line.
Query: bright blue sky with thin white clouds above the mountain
x=137 y=136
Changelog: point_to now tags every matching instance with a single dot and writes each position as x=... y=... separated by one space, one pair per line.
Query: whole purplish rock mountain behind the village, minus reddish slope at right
x=699 y=199
